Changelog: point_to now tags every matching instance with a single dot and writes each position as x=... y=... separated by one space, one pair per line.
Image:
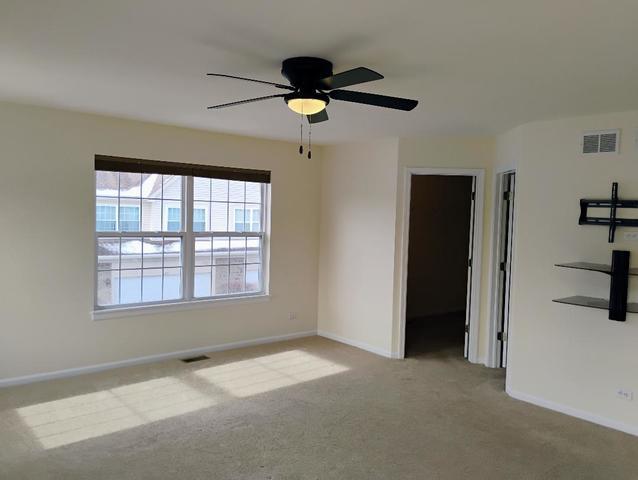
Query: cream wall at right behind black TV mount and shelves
x=567 y=357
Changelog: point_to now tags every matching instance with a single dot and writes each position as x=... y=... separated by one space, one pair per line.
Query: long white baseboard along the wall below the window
x=7 y=382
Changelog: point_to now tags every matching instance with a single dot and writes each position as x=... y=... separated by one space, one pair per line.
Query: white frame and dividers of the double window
x=188 y=236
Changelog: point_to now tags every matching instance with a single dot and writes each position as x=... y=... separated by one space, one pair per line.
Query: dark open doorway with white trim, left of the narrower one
x=441 y=280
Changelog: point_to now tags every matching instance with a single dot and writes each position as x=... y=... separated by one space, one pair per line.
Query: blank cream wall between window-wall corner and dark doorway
x=358 y=197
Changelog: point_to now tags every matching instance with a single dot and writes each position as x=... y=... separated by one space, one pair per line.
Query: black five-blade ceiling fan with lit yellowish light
x=313 y=85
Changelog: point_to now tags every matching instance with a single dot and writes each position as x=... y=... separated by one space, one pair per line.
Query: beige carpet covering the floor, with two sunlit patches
x=306 y=409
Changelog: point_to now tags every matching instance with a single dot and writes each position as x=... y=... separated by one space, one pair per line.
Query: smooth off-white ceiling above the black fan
x=475 y=66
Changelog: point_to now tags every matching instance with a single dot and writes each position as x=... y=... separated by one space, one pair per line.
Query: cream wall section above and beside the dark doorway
x=447 y=152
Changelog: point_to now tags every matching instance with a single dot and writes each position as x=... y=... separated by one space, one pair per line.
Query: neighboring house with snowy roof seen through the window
x=148 y=268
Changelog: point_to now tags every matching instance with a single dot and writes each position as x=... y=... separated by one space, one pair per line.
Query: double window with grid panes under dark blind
x=147 y=254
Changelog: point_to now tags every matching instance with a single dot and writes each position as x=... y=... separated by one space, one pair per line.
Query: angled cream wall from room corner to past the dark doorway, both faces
x=361 y=232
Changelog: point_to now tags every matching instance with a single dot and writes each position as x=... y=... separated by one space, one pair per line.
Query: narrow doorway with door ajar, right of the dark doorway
x=506 y=231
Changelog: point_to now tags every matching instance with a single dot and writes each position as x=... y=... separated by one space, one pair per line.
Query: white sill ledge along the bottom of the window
x=137 y=310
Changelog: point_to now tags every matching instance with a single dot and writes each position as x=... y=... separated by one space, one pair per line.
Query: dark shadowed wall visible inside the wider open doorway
x=440 y=213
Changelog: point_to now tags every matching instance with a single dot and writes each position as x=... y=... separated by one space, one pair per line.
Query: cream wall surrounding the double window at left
x=46 y=245
